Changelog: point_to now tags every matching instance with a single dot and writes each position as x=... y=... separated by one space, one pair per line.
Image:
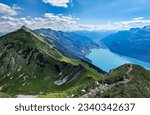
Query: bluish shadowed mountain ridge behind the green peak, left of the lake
x=71 y=44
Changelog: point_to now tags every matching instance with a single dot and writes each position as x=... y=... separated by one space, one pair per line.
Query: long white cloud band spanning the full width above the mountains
x=66 y=23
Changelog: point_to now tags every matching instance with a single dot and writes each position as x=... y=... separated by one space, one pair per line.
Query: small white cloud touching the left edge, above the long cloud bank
x=6 y=10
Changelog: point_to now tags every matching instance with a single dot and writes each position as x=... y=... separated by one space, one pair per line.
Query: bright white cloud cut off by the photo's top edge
x=58 y=3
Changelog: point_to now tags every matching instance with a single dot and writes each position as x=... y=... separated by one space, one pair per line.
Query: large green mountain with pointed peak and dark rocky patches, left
x=29 y=65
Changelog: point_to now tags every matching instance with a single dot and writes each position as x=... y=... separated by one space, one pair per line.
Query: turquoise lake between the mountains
x=107 y=60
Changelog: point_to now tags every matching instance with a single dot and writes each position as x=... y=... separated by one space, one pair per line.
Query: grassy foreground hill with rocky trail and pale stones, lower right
x=127 y=81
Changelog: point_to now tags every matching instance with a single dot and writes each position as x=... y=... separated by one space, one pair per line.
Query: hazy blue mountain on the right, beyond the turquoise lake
x=133 y=43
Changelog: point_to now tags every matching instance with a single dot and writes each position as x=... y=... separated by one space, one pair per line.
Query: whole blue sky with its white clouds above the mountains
x=74 y=14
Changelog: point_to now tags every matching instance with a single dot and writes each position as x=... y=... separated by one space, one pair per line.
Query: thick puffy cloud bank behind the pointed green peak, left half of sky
x=56 y=22
